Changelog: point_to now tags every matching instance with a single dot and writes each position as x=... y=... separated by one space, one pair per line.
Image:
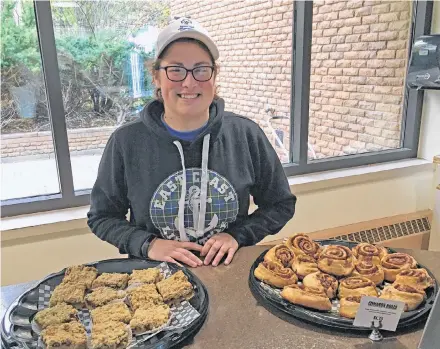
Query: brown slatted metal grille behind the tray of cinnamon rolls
x=388 y=232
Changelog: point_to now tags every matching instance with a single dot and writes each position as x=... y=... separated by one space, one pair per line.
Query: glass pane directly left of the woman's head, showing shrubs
x=104 y=48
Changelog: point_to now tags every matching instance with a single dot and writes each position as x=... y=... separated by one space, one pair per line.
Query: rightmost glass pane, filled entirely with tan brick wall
x=359 y=58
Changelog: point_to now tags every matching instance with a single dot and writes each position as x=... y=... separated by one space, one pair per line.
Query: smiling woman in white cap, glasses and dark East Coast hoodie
x=187 y=168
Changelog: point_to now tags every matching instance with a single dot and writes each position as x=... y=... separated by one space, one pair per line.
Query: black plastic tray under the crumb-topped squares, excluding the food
x=16 y=331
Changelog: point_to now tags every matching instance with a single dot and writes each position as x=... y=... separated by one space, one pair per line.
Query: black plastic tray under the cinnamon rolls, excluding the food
x=271 y=301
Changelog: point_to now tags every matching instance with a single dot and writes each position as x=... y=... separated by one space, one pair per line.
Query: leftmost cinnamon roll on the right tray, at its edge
x=275 y=275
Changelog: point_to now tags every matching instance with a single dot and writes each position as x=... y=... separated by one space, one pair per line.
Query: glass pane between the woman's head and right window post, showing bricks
x=255 y=43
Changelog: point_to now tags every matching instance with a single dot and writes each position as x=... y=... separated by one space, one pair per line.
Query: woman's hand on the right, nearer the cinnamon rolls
x=217 y=246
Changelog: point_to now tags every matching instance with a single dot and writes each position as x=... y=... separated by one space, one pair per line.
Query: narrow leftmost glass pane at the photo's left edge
x=27 y=154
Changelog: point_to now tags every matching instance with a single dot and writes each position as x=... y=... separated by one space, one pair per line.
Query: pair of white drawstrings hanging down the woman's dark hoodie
x=200 y=225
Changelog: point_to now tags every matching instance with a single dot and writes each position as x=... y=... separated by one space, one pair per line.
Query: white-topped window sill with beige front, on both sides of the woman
x=75 y=218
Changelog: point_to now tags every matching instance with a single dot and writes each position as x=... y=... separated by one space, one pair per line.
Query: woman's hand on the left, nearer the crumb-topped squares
x=174 y=252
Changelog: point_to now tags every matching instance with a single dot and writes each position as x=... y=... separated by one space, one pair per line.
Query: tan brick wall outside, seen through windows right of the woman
x=359 y=56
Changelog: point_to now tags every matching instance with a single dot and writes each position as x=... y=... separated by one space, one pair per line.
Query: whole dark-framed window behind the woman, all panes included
x=332 y=95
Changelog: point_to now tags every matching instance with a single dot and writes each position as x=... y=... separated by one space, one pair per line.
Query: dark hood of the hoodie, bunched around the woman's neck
x=151 y=118
